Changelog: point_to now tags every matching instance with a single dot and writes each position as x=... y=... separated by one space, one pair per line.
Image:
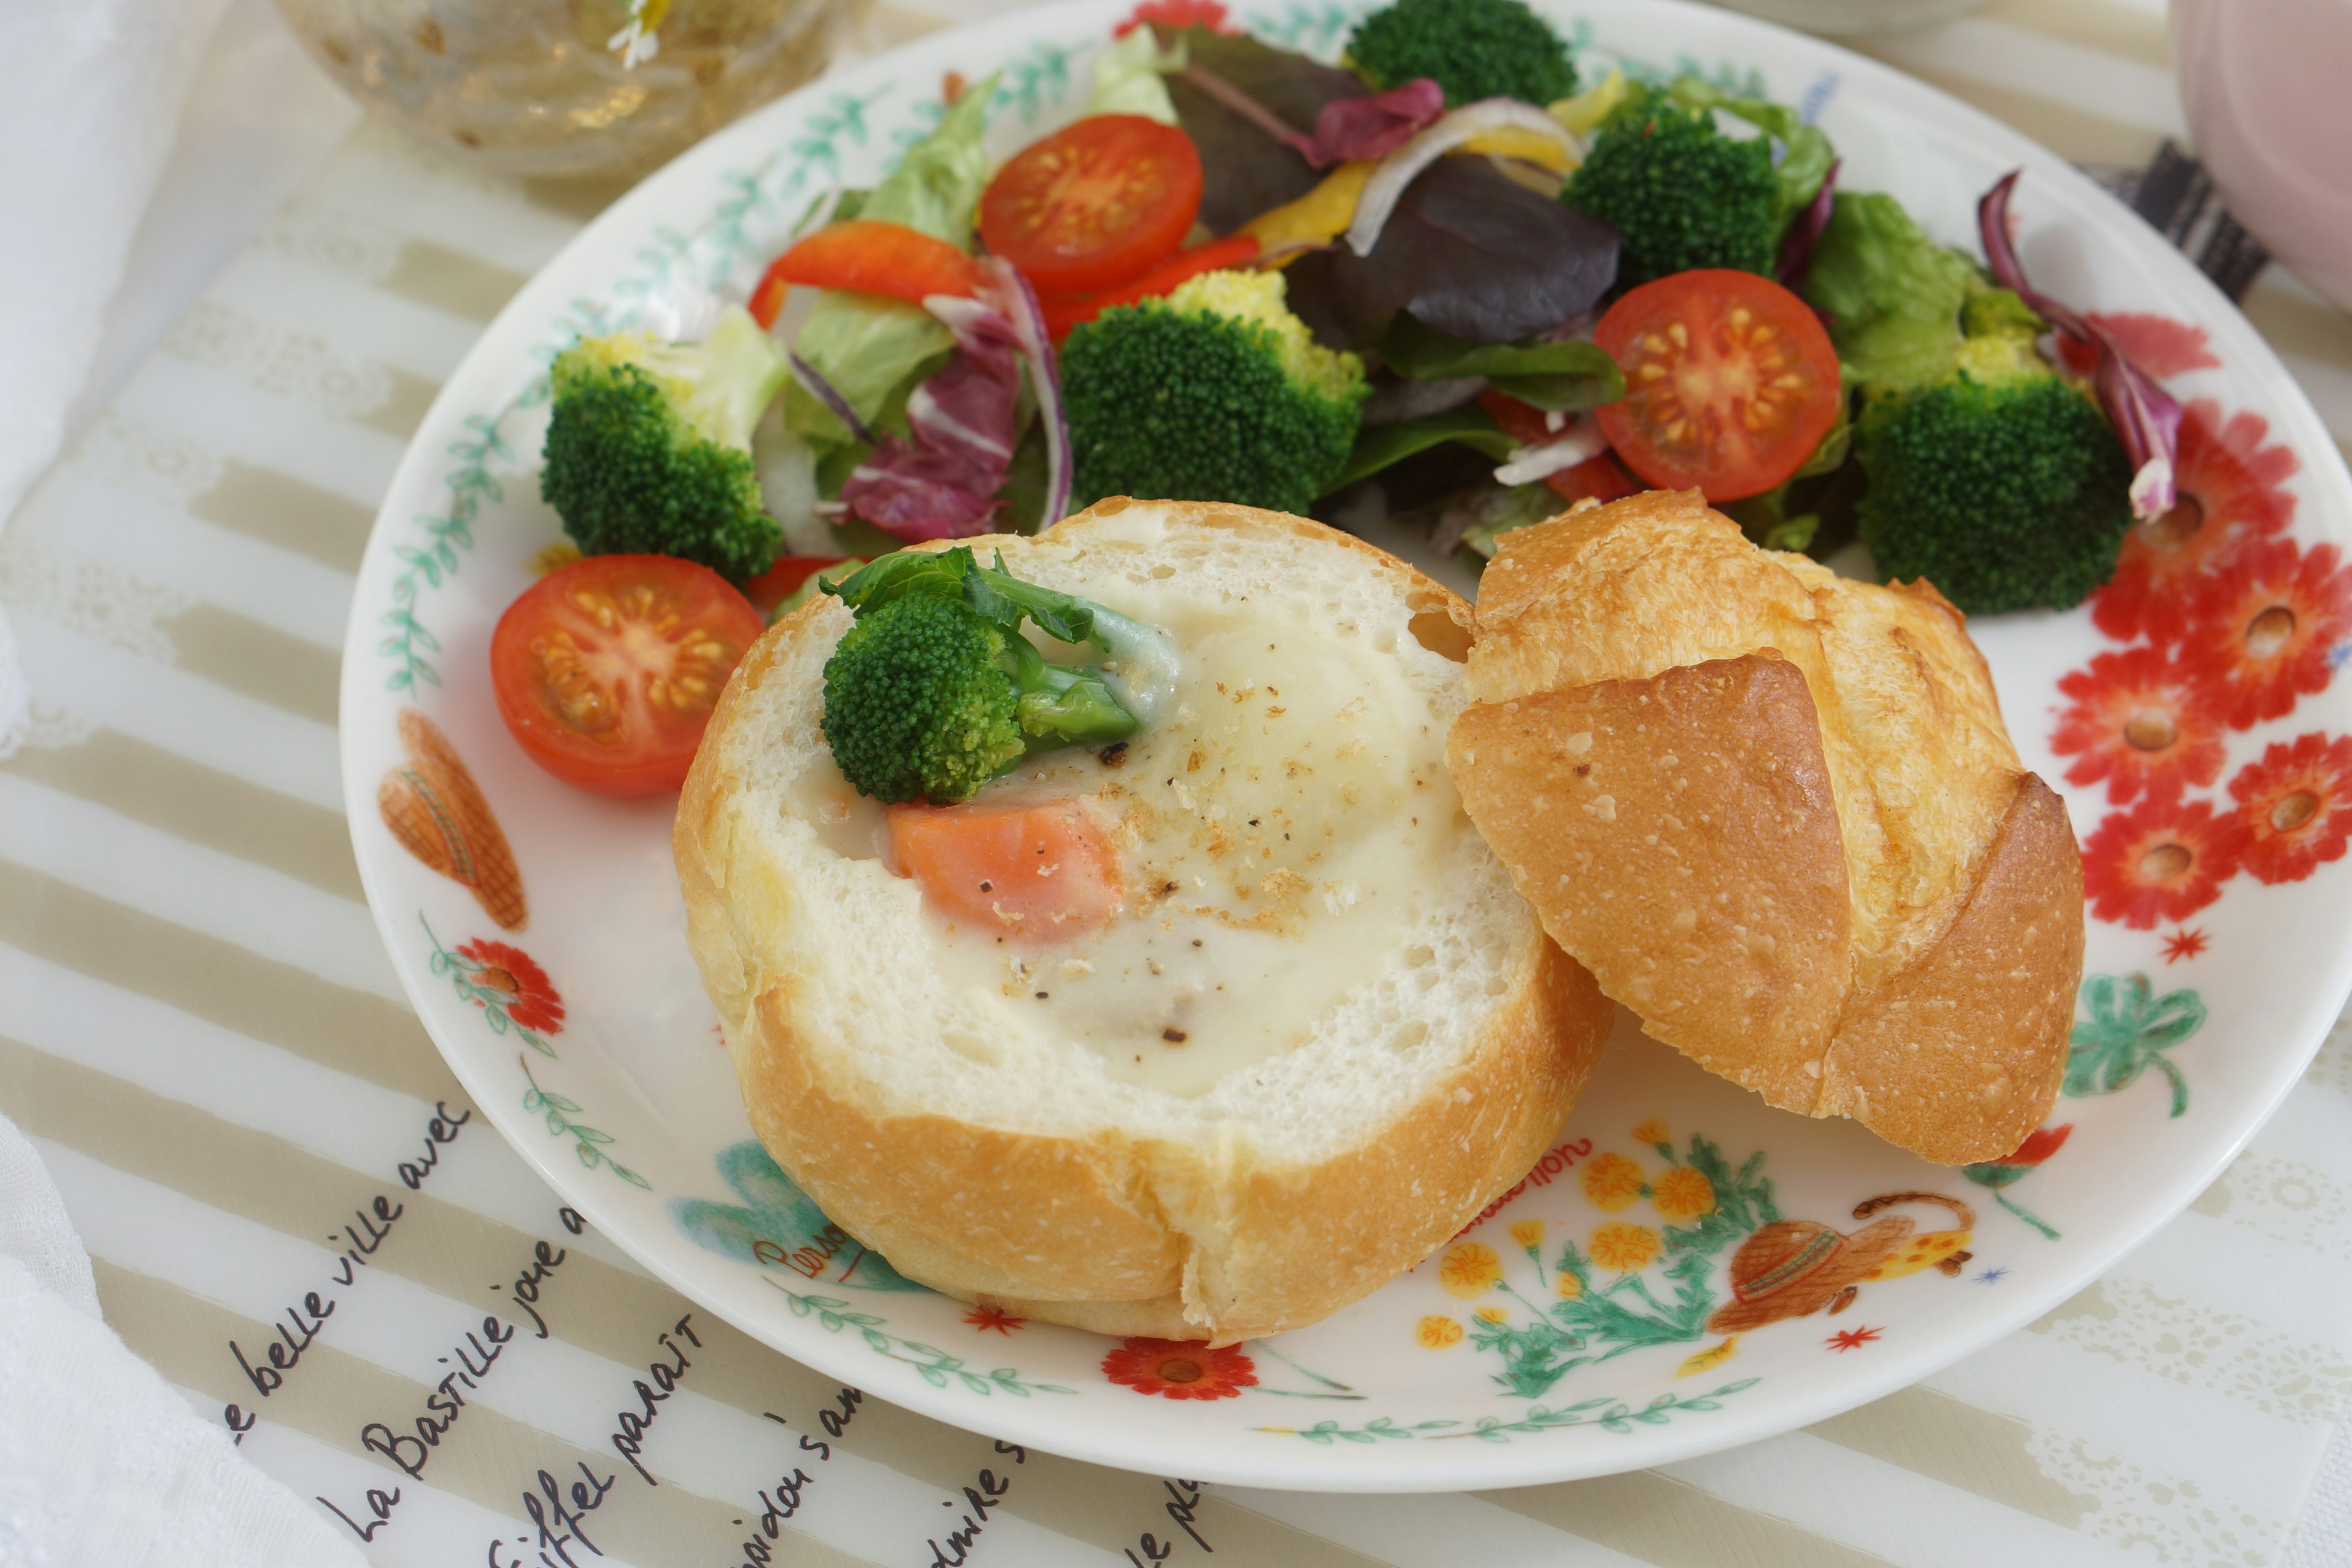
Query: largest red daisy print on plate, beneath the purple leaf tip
x=2231 y=490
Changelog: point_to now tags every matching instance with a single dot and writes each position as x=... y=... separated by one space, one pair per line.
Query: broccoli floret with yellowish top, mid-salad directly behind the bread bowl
x=1212 y=394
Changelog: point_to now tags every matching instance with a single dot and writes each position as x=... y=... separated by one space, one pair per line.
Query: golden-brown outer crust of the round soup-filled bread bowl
x=1114 y=1231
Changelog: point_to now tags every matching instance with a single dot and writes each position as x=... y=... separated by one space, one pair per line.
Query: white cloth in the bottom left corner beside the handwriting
x=102 y=1461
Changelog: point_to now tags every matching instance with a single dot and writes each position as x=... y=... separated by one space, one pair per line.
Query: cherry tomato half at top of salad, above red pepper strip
x=1095 y=203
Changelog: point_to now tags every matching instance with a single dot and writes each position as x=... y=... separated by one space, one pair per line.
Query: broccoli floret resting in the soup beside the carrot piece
x=935 y=690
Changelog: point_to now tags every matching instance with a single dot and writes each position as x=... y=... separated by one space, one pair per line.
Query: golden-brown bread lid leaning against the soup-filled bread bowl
x=1779 y=817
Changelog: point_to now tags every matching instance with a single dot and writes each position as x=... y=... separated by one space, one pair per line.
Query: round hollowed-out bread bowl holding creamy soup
x=1403 y=1040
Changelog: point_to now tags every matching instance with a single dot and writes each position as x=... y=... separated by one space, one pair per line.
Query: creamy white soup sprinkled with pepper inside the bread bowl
x=1278 y=833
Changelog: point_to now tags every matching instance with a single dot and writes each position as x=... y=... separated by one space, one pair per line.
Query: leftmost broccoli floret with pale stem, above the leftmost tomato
x=650 y=445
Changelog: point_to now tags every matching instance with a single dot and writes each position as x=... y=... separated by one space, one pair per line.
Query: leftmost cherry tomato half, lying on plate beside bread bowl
x=608 y=671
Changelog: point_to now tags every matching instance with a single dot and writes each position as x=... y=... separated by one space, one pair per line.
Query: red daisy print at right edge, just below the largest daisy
x=2266 y=629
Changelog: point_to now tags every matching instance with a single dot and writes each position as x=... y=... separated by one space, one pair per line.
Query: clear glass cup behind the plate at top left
x=568 y=88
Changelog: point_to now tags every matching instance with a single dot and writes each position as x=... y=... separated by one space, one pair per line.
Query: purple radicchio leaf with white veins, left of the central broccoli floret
x=944 y=481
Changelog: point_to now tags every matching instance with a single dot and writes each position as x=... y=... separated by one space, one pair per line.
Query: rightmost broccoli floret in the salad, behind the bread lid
x=2005 y=490
